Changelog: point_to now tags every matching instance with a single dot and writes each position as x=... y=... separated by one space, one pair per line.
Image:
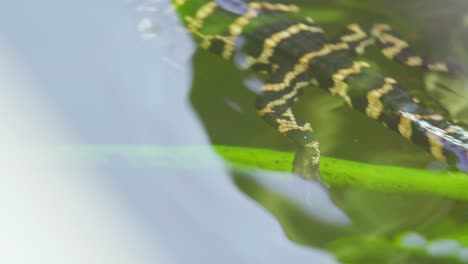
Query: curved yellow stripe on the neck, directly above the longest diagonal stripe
x=270 y=43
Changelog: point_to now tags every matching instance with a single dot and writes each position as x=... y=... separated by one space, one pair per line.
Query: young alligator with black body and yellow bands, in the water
x=273 y=36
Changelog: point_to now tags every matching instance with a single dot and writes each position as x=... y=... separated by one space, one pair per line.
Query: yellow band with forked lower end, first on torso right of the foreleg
x=340 y=87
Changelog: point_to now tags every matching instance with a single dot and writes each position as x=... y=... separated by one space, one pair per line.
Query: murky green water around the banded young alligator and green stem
x=379 y=220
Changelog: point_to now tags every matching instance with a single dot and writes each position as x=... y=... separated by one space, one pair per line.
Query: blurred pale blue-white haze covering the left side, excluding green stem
x=81 y=73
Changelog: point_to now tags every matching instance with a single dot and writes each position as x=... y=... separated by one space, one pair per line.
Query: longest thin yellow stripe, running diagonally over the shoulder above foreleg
x=303 y=65
